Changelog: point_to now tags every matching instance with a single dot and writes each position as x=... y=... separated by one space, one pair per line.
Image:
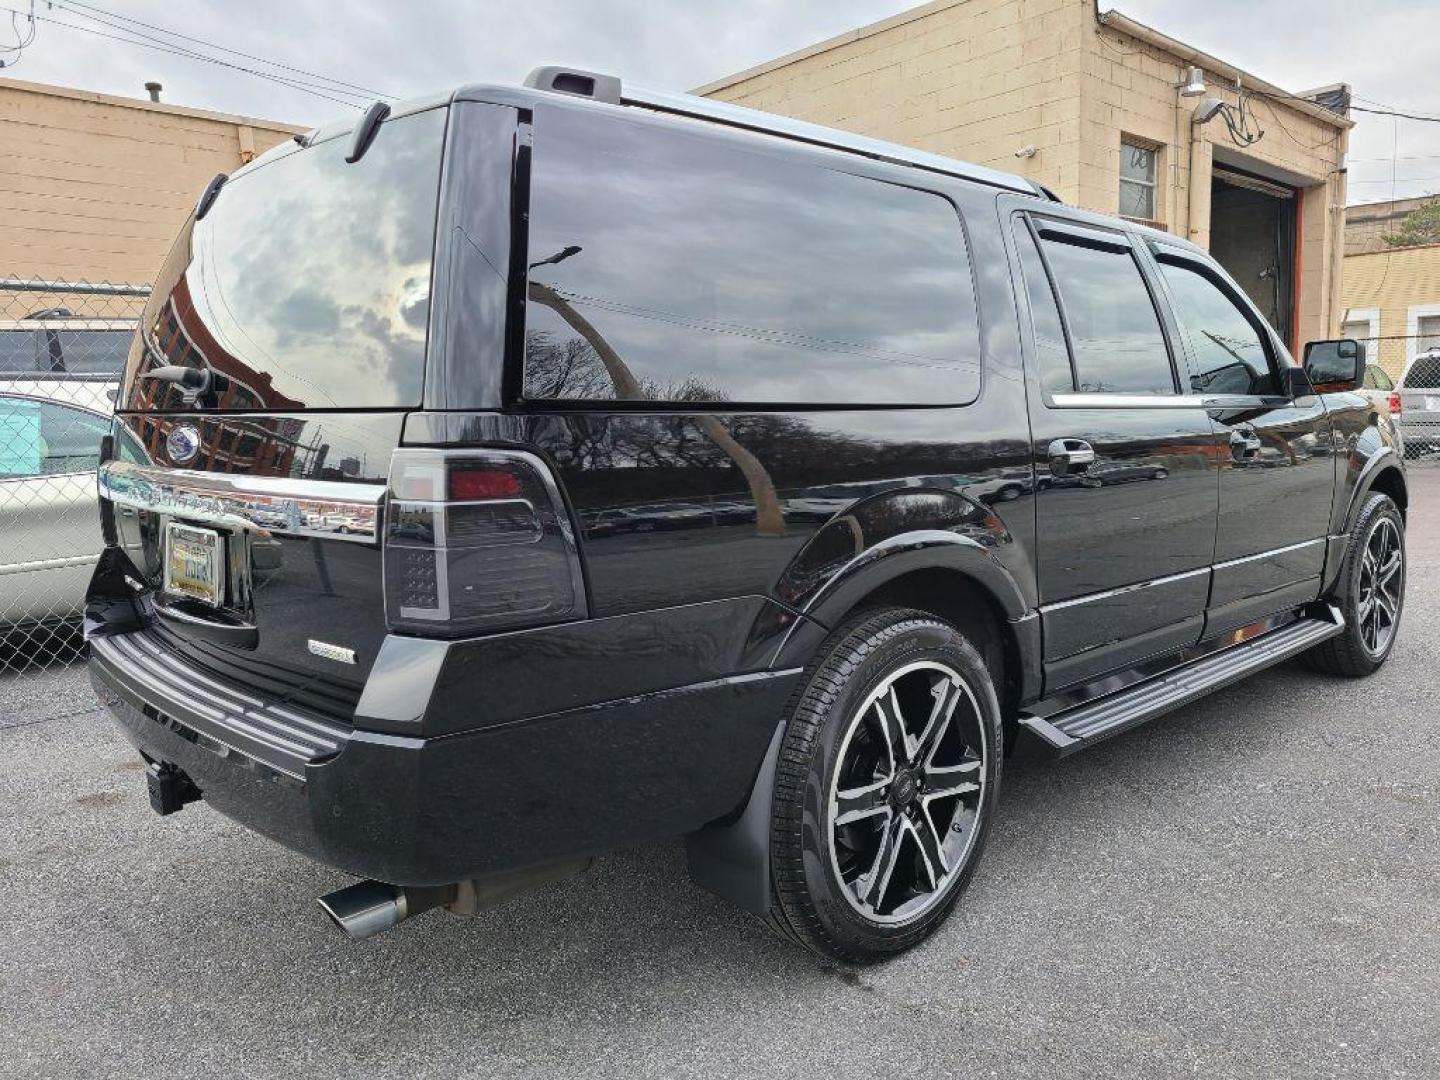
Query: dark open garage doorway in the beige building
x=1254 y=224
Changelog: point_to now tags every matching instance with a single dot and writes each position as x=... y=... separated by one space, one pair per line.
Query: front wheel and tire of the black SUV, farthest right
x=1372 y=598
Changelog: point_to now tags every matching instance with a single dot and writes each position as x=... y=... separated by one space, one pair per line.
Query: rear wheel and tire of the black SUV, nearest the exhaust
x=915 y=823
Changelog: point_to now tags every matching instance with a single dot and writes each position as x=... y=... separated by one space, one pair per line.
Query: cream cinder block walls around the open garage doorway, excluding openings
x=981 y=80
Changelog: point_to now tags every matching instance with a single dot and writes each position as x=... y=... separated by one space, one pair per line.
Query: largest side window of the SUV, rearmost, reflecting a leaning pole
x=685 y=266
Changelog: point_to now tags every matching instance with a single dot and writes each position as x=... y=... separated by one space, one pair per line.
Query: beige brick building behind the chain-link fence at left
x=96 y=188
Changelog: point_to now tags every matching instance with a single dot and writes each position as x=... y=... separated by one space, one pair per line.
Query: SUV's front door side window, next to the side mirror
x=1226 y=348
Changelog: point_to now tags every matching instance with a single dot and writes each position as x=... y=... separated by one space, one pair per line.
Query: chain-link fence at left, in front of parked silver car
x=63 y=348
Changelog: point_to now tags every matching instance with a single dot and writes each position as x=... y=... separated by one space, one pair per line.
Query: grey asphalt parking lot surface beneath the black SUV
x=1246 y=889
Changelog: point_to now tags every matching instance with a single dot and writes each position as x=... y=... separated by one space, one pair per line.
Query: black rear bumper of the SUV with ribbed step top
x=433 y=811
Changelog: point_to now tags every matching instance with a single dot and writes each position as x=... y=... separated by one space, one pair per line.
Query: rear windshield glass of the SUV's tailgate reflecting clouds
x=309 y=282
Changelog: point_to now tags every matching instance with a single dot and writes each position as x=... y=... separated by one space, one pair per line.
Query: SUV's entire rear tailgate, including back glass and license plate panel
x=263 y=400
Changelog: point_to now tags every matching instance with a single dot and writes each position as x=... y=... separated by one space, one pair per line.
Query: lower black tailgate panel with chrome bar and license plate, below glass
x=299 y=606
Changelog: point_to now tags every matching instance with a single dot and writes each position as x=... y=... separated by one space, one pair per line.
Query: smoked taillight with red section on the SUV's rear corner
x=477 y=541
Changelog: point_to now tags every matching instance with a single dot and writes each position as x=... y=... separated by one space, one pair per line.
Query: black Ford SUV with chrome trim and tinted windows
x=534 y=473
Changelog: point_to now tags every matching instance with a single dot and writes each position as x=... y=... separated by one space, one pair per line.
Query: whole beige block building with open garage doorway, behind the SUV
x=1091 y=106
